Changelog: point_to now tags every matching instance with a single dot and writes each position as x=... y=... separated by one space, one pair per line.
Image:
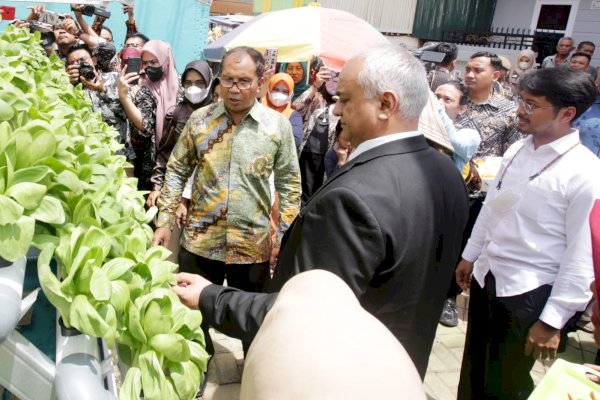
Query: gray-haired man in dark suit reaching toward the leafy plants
x=380 y=222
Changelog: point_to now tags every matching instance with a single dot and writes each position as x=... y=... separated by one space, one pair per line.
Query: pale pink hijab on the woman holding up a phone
x=166 y=89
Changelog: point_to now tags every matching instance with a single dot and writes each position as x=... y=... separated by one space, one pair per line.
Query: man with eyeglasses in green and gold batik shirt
x=235 y=144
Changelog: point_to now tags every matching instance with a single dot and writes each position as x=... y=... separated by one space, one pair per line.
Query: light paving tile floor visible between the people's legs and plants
x=441 y=379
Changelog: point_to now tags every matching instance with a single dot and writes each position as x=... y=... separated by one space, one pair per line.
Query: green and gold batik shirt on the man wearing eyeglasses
x=228 y=218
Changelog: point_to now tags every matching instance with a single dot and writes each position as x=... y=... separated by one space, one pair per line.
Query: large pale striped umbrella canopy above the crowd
x=301 y=33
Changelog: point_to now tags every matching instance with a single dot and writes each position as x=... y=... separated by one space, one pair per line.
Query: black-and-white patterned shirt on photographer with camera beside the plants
x=112 y=111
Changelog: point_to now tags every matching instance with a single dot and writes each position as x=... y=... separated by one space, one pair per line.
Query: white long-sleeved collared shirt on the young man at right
x=535 y=232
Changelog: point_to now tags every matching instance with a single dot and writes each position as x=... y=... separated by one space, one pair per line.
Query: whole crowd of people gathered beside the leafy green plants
x=268 y=174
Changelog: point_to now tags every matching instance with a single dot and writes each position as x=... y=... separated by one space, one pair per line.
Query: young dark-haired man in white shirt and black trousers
x=528 y=262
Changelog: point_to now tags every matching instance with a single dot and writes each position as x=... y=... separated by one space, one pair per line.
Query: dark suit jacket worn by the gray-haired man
x=390 y=224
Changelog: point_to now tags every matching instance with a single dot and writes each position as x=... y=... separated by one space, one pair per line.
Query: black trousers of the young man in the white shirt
x=494 y=363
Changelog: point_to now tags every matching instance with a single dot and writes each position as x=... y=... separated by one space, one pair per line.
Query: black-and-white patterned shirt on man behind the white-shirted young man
x=496 y=122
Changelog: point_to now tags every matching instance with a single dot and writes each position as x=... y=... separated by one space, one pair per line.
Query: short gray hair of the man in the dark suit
x=393 y=68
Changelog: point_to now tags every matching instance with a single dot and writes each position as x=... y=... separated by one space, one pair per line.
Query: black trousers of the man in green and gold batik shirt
x=248 y=277
